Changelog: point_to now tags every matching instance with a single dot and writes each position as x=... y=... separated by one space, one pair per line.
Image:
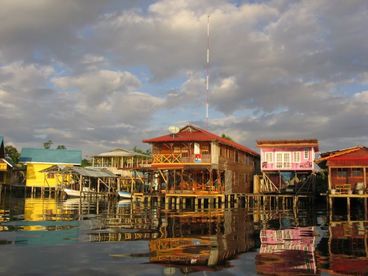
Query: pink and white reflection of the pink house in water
x=287 y=251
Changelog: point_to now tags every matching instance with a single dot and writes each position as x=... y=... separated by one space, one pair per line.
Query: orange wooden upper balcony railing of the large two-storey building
x=174 y=158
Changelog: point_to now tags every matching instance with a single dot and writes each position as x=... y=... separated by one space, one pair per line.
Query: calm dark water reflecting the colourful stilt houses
x=46 y=236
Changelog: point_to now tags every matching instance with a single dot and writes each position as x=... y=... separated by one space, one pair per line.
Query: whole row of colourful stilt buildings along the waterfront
x=192 y=167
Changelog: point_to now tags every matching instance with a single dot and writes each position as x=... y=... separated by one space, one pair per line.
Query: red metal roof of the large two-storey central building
x=191 y=133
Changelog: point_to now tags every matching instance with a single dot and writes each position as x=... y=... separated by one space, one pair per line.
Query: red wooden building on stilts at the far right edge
x=347 y=170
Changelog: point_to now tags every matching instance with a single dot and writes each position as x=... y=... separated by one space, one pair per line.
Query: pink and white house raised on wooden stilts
x=287 y=166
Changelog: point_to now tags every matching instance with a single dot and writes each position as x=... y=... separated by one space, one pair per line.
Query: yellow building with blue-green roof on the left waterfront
x=37 y=160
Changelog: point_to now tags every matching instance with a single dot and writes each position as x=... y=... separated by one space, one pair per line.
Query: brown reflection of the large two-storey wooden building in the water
x=205 y=239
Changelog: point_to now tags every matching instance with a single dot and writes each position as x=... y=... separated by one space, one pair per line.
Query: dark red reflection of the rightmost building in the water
x=348 y=248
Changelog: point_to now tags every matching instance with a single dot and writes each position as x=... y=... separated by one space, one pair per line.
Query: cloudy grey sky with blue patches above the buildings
x=97 y=75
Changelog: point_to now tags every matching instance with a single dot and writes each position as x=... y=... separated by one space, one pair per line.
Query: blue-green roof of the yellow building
x=62 y=156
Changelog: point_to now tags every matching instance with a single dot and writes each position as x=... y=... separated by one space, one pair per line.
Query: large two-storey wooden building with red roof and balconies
x=193 y=162
